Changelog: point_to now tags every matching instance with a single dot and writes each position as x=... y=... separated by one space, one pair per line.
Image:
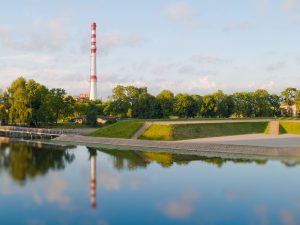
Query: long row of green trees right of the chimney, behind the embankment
x=130 y=101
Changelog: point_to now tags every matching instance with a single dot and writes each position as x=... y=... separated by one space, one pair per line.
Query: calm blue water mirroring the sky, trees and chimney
x=52 y=186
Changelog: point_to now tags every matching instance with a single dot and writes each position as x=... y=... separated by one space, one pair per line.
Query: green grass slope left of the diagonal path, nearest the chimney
x=121 y=129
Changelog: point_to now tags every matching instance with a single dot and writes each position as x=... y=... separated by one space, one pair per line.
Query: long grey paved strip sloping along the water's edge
x=176 y=145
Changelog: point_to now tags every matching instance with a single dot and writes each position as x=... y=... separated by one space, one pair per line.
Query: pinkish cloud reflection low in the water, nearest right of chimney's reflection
x=180 y=208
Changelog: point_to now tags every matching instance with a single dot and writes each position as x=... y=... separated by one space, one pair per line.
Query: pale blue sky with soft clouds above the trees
x=192 y=46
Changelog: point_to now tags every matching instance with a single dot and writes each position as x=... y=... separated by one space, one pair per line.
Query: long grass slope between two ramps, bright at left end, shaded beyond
x=190 y=131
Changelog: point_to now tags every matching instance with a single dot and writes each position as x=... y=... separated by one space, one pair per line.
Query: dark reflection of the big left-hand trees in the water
x=23 y=161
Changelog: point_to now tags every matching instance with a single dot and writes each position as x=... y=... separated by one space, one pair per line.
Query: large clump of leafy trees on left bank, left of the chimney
x=28 y=102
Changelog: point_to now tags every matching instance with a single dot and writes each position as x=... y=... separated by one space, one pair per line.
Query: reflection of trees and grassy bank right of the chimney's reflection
x=131 y=159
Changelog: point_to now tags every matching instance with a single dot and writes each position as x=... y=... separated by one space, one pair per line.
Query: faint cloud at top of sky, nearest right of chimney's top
x=182 y=13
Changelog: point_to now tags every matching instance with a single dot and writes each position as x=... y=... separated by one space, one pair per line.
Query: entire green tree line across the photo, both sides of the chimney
x=28 y=102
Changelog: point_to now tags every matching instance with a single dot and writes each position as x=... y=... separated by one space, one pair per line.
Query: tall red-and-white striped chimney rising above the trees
x=93 y=72
